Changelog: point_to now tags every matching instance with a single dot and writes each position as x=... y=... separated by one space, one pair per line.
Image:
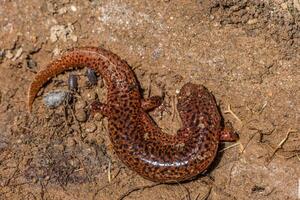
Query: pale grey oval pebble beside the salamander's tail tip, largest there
x=54 y=99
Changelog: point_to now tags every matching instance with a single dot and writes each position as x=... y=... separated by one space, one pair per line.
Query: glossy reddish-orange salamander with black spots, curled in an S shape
x=136 y=139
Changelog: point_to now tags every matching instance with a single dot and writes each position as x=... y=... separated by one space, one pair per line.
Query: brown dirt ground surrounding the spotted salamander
x=246 y=52
